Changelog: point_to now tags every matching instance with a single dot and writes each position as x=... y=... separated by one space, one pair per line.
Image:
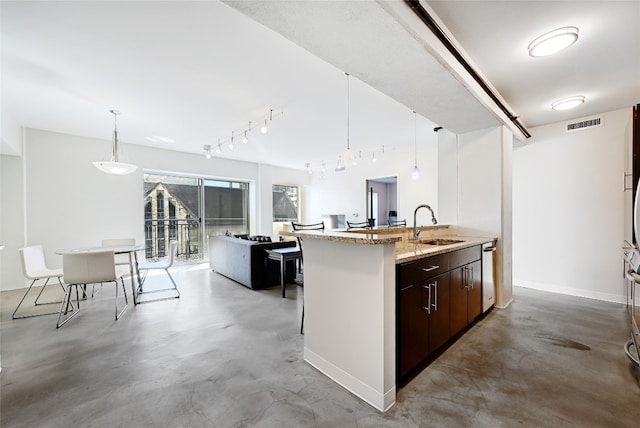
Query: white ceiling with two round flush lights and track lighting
x=196 y=71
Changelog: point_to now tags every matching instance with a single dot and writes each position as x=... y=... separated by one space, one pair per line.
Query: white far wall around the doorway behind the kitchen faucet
x=345 y=192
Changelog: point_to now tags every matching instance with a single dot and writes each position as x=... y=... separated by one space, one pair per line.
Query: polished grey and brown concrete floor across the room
x=226 y=356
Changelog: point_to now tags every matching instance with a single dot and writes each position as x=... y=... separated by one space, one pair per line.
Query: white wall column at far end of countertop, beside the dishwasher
x=474 y=192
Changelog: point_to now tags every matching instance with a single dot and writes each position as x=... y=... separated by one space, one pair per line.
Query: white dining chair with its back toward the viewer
x=84 y=268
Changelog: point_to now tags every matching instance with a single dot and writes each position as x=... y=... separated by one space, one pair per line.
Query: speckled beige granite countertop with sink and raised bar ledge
x=406 y=248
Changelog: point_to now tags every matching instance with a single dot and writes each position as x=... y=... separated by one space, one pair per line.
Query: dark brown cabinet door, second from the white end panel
x=439 y=331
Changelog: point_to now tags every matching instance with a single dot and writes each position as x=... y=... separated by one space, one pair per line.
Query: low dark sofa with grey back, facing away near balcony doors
x=244 y=260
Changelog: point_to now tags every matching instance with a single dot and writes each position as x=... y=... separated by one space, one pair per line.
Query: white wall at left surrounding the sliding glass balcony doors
x=69 y=203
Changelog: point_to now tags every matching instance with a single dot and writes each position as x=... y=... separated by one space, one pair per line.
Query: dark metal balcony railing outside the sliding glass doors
x=187 y=232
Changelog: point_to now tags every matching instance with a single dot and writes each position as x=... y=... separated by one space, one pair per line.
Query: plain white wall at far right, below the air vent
x=568 y=209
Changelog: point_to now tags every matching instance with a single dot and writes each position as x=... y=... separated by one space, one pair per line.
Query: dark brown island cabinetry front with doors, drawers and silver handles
x=436 y=298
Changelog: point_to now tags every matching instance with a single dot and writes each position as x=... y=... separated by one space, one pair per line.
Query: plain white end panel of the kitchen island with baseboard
x=349 y=325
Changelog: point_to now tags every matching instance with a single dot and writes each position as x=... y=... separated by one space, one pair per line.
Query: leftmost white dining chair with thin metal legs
x=35 y=268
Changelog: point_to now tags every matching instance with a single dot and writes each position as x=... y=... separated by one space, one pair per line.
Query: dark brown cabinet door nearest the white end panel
x=413 y=329
